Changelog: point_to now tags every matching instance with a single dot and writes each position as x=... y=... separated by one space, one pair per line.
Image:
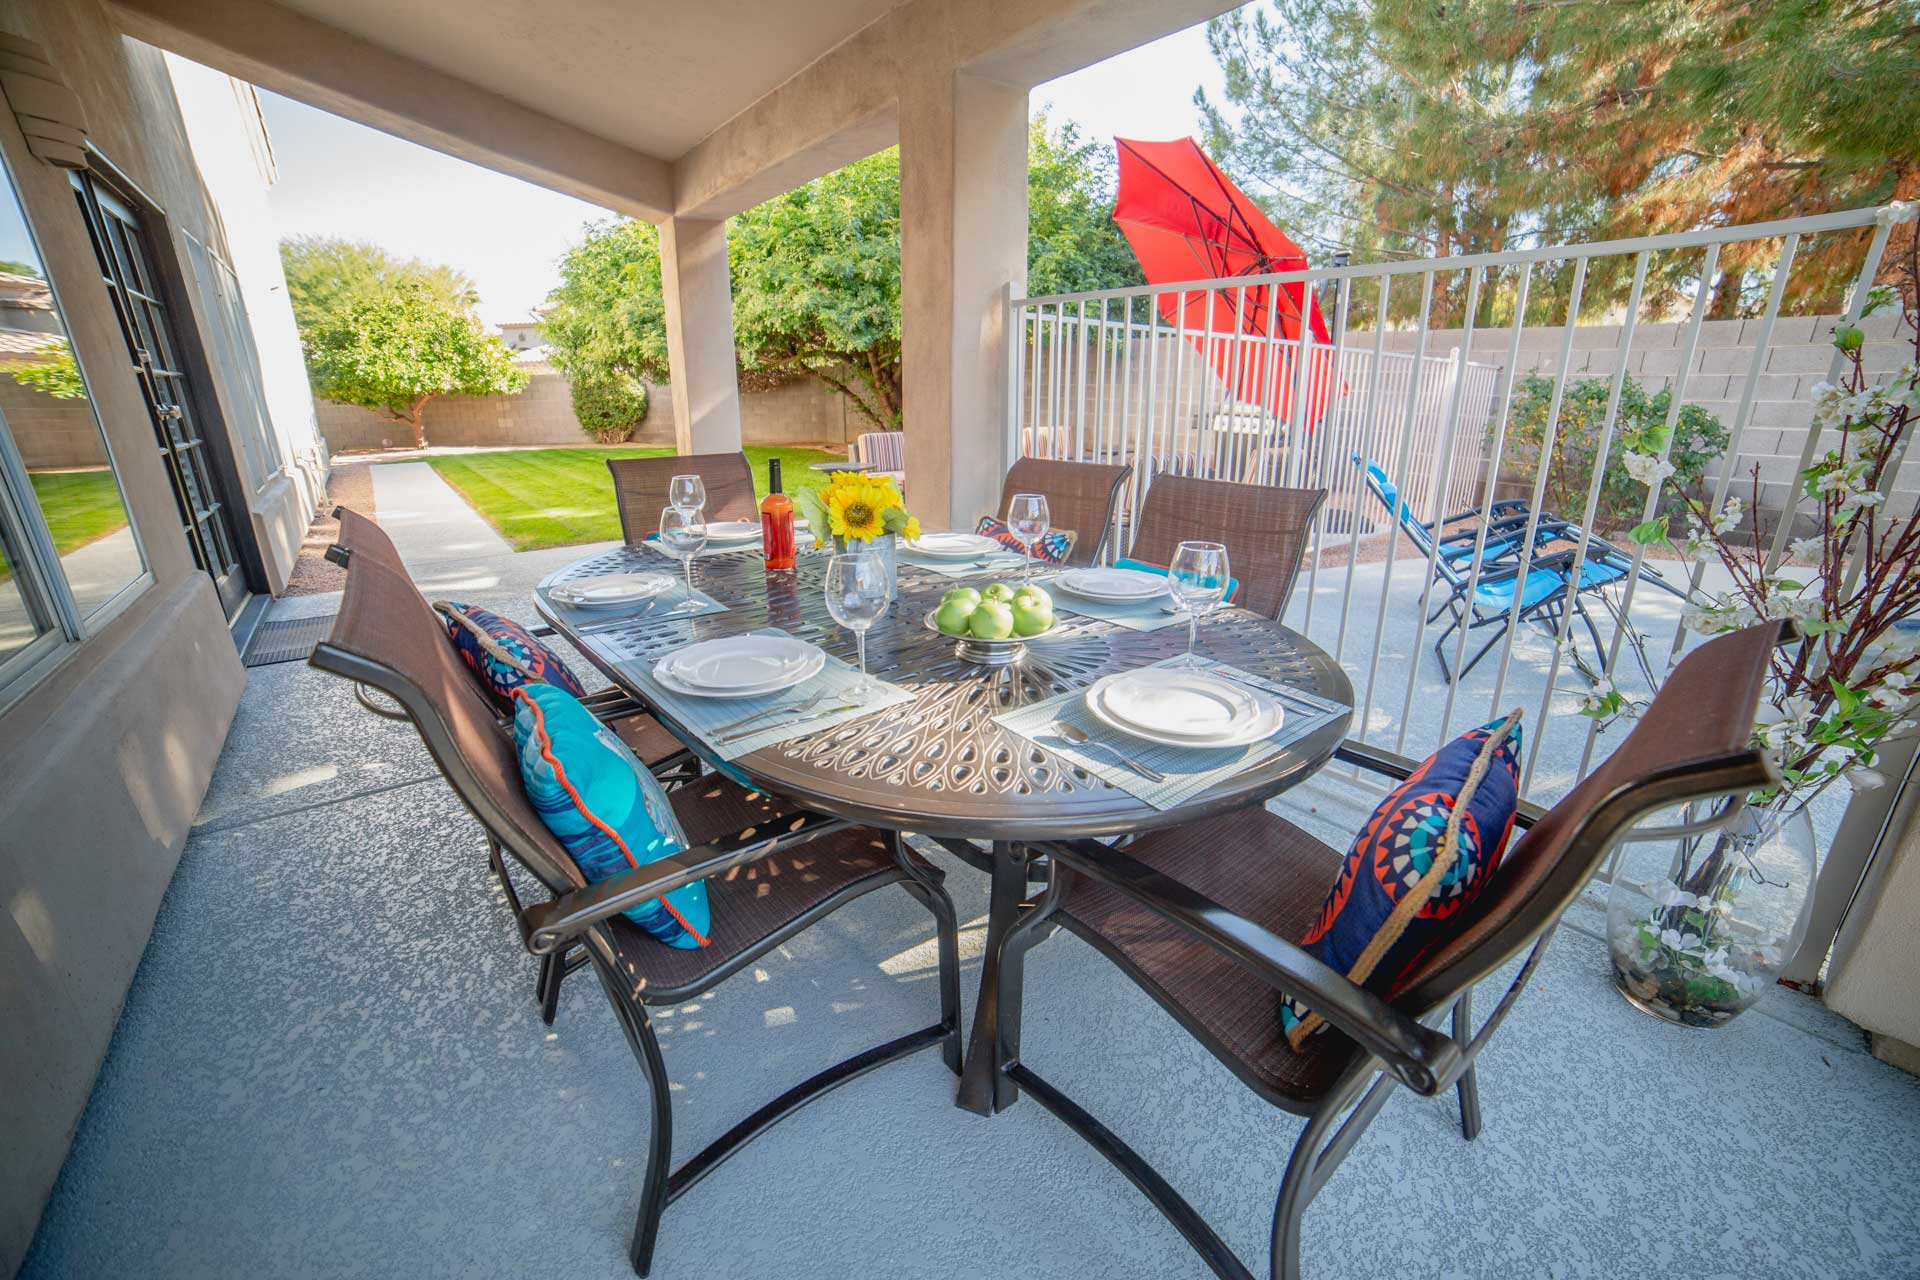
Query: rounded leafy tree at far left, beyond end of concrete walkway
x=396 y=352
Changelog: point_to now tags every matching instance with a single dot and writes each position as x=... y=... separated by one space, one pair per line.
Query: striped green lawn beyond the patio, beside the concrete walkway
x=558 y=498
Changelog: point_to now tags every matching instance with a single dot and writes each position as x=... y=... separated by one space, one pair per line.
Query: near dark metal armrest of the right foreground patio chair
x=1418 y=1056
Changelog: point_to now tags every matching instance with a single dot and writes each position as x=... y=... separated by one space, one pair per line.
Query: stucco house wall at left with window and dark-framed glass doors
x=124 y=586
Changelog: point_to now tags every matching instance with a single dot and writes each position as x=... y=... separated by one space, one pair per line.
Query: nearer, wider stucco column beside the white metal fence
x=963 y=247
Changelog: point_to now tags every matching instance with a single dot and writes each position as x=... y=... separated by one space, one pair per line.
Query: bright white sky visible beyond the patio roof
x=345 y=179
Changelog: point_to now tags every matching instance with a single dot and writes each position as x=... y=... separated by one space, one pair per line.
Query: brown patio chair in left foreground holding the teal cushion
x=771 y=876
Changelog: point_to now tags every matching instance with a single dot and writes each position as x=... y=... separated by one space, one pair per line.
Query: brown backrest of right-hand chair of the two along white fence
x=1264 y=531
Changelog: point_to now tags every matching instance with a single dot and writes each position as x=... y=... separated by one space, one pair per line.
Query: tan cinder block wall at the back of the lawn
x=542 y=415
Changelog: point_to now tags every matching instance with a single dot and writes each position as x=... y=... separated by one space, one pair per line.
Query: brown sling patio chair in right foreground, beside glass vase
x=1203 y=918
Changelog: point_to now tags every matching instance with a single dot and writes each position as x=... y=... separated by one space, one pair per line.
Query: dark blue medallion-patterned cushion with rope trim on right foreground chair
x=1404 y=886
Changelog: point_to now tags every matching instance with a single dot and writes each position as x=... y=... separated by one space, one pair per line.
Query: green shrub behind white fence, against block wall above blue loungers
x=1641 y=427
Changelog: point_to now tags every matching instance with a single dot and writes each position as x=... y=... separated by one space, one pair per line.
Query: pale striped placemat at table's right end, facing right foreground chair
x=1189 y=770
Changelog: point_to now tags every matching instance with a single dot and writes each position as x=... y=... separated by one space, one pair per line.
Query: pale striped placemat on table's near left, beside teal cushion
x=717 y=723
